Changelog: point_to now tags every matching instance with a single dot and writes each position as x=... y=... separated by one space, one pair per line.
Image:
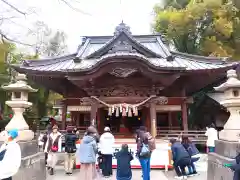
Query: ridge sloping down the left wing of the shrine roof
x=48 y=61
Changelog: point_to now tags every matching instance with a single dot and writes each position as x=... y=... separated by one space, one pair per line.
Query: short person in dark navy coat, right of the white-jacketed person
x=124 y=157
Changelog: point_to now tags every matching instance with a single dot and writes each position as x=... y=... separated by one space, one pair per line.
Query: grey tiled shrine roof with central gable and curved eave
x=147 y=48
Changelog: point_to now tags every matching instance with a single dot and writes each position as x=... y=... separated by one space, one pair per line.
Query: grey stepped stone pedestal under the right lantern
x=225 y=152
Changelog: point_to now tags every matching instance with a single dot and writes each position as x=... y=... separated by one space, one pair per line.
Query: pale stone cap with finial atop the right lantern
x=232 y=81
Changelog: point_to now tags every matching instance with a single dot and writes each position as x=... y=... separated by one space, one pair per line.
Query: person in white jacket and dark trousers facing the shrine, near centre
x=106 y=147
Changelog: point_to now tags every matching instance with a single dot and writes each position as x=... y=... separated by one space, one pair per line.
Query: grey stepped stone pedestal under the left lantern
x=33 y=162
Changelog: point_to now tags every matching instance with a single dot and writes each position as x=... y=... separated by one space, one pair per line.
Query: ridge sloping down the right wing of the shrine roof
x=199 y=58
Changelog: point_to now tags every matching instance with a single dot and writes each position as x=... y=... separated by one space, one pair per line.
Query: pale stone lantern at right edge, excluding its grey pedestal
x=231 y=101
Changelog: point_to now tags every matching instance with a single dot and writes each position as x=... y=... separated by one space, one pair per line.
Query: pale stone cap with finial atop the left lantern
x=20 y=85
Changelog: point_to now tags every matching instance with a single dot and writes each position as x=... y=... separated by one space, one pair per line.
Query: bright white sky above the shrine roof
x=92 y=17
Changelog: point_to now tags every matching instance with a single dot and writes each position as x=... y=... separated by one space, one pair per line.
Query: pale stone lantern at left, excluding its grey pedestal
x=18 y=103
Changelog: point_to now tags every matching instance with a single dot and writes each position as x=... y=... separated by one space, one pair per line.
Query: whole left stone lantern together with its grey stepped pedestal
x=33 y=162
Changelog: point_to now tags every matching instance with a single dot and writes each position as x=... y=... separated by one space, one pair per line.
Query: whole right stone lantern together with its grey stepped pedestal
x=227 y=147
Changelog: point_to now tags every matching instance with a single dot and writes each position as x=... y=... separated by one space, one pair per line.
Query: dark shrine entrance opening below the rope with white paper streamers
x=120 y=124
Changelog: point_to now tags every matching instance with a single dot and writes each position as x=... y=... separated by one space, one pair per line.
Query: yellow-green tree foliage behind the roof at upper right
x=204 y=27
